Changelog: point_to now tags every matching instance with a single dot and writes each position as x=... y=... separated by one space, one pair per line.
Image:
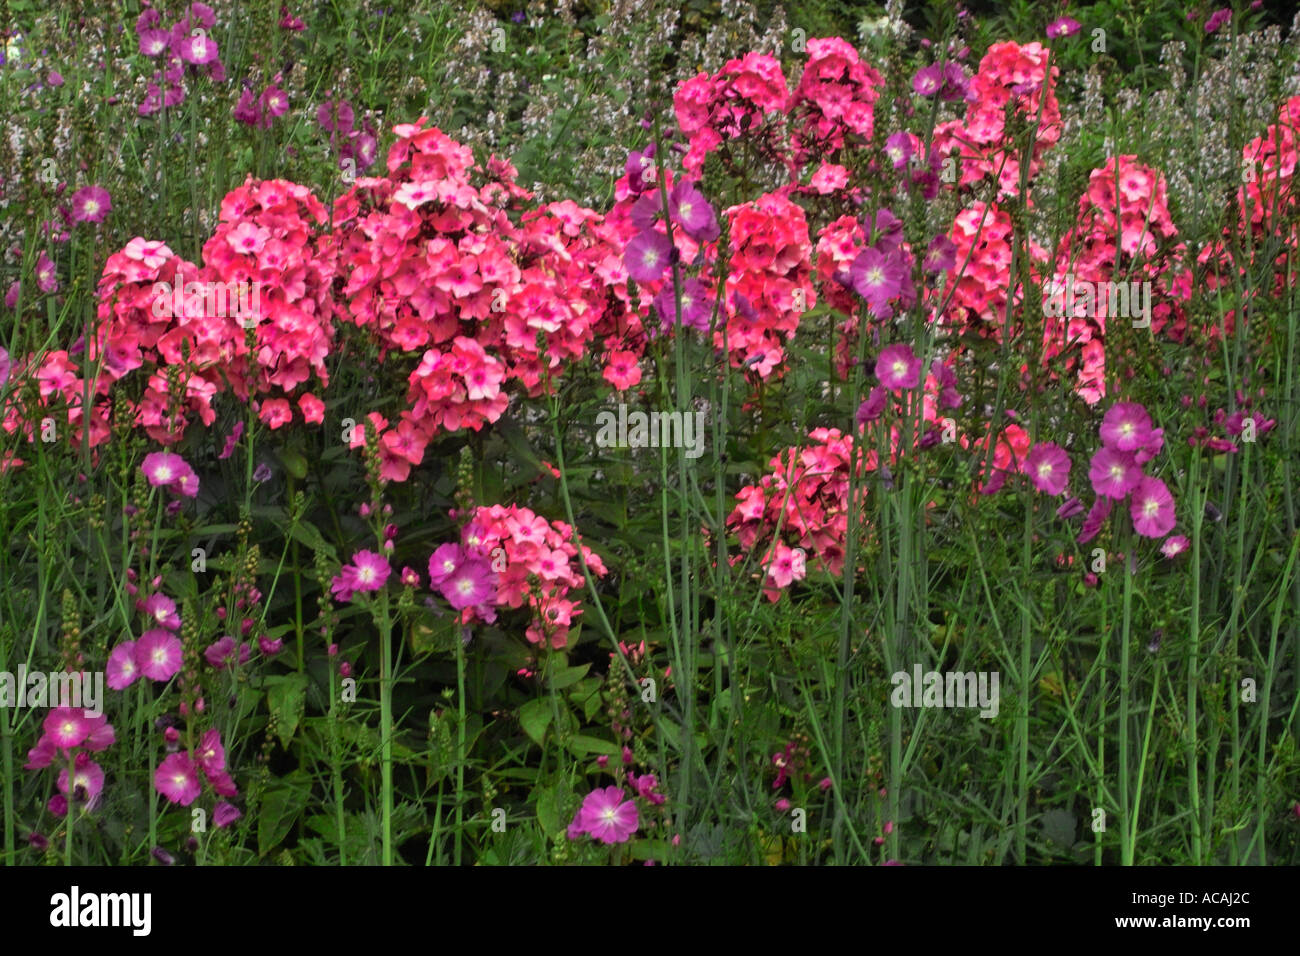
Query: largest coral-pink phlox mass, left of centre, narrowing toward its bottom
x=434 y=265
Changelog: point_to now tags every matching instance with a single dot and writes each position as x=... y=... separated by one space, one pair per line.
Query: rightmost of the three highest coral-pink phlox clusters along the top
x=1008 y=75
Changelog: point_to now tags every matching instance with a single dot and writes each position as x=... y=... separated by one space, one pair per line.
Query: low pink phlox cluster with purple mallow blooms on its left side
x=506 y=547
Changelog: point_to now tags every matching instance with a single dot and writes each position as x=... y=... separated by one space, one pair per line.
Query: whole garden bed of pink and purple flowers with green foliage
x=369 y=586
